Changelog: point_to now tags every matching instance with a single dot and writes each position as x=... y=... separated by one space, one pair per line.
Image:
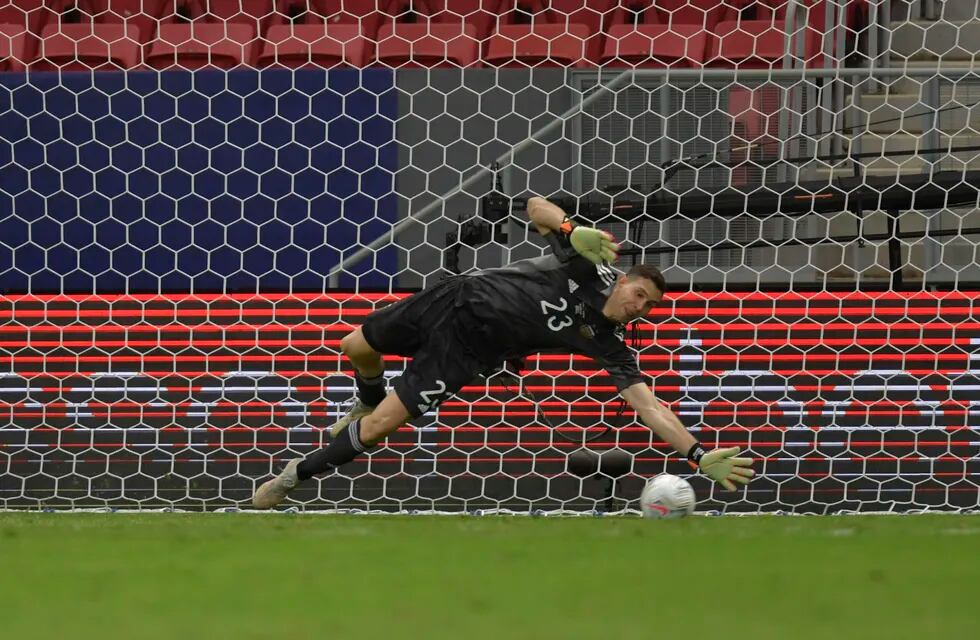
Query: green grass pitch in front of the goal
x=239 y=576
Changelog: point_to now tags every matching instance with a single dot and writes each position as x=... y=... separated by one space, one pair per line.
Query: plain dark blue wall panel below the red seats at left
x=195 y=181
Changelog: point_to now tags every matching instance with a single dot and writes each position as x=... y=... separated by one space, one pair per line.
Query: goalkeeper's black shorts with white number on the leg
x=434 y=329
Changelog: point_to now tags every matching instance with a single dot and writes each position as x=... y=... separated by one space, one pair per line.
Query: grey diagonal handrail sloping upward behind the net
x=504 y=161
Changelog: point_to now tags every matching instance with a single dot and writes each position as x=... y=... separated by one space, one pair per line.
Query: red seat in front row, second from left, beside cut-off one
x=88 y=46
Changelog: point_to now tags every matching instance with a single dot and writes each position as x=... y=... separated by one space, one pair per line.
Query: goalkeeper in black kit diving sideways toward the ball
x=571 y=301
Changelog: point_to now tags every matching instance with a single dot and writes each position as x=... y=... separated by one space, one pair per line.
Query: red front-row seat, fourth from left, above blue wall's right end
x=314 y=45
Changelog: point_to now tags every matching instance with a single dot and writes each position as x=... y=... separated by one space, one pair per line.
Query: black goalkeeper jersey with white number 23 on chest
x=549 y=304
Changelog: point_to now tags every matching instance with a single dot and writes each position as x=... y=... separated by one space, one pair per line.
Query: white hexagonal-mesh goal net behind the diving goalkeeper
x=200 y=199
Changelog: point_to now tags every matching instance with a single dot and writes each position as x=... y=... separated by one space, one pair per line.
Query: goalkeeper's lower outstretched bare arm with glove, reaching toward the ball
x=720 y=465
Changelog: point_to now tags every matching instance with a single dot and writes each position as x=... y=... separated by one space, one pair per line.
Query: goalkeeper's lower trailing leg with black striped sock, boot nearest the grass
x=359 y=436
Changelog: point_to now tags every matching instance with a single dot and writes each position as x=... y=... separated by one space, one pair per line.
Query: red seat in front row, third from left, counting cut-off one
x=202 y=44
